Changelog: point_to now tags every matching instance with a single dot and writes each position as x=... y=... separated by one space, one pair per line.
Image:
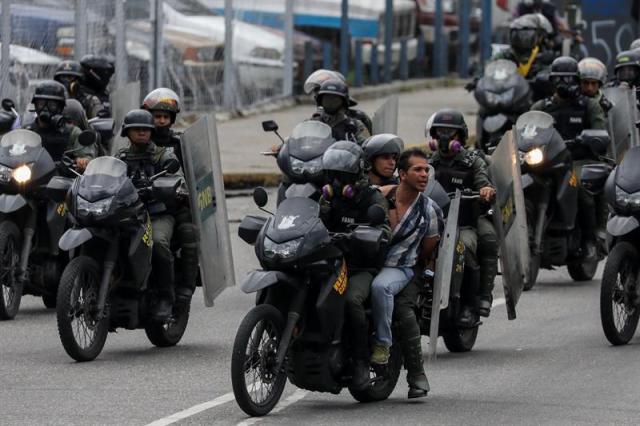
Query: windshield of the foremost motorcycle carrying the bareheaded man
x=295 y=218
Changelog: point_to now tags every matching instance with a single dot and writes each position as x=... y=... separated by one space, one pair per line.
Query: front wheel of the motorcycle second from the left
x=77 y=299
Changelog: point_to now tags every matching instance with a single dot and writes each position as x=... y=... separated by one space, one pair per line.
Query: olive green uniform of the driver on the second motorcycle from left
x=141 y=165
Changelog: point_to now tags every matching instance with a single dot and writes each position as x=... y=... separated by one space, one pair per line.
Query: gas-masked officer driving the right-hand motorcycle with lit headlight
x=573 y=113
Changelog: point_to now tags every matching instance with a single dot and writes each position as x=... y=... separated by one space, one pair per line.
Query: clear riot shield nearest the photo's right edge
x=621 y=120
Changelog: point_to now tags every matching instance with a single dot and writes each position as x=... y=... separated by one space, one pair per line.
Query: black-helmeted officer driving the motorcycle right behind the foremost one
x=333 y=97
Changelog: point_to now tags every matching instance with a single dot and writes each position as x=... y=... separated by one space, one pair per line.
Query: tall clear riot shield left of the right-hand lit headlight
x=510 y=220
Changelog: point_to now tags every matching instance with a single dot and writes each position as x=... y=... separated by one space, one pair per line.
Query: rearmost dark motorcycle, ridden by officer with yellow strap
x=502 y=95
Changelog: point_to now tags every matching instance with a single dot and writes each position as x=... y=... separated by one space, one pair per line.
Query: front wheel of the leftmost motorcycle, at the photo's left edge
x=10 y=286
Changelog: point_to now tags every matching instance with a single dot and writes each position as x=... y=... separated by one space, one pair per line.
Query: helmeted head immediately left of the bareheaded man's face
x=382 y=152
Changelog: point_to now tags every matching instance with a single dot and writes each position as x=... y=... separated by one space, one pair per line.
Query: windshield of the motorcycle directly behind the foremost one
x=309 y=140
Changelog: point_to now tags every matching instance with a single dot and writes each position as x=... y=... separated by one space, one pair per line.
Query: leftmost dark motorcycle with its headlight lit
x=31 y=222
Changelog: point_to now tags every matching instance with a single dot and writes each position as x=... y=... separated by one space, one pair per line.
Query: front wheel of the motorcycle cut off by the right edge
x=614 y=296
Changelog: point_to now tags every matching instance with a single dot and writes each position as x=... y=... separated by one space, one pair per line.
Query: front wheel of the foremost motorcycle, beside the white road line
x=260 y=319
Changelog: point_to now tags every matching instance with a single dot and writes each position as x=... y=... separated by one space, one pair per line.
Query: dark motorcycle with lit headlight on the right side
x=550 y=186
